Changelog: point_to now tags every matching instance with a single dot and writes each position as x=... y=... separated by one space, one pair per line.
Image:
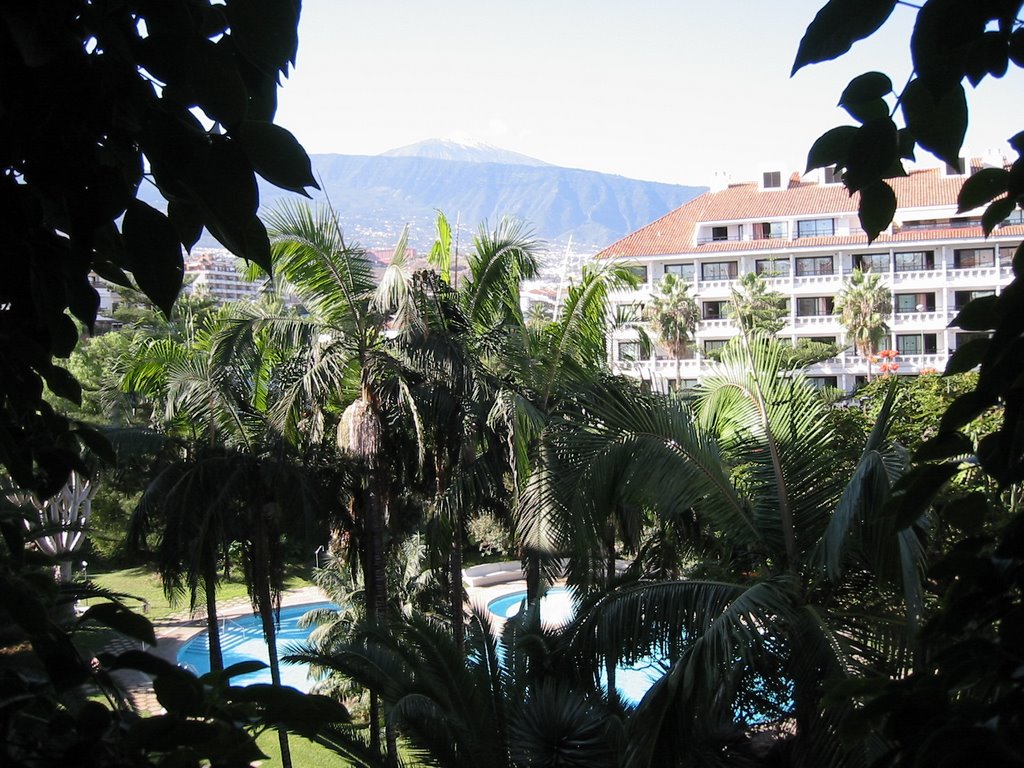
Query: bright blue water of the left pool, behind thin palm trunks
x=242 y=641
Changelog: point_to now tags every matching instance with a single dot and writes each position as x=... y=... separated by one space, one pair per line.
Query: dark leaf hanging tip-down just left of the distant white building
x=155 y=254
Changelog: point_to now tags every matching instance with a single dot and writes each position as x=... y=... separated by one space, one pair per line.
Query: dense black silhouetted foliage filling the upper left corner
x=100 y=99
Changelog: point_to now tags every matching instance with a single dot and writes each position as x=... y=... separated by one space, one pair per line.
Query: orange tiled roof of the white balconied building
x=674 y=233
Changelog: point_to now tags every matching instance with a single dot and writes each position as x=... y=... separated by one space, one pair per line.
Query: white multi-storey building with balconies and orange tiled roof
x=803 y=235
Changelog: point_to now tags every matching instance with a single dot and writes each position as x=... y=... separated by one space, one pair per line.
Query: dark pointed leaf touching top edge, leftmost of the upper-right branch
x=838 y=26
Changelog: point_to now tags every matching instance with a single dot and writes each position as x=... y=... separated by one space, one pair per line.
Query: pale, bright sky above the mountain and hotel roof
x=649 y=90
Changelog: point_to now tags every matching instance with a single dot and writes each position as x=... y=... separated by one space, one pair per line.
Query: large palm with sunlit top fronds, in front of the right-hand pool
x=804 y=586
